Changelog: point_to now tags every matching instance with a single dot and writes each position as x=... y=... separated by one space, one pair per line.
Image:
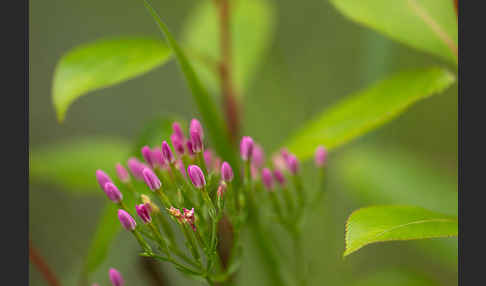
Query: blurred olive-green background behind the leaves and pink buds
x=317 y=56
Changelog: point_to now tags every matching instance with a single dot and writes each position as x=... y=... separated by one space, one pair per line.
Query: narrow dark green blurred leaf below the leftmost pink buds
x=106 y=230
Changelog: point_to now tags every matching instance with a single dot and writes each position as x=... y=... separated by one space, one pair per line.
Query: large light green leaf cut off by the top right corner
x=426 y=25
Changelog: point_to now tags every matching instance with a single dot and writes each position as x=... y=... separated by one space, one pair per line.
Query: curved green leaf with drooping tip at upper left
x=101 y=64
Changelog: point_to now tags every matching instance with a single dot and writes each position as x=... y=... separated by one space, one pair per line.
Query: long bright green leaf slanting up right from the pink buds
x=368 y=109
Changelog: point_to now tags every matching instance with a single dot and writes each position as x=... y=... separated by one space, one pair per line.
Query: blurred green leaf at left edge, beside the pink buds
x=71 y=164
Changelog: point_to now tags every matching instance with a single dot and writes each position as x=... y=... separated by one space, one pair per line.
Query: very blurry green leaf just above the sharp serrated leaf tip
x=407 y=180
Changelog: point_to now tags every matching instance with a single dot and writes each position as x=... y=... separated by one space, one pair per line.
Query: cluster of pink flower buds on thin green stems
x=195 y=197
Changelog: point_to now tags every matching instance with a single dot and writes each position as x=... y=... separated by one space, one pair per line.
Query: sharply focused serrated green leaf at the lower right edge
x=388 y=223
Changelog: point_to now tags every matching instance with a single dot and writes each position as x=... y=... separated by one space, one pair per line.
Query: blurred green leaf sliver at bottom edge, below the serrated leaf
x=398 y=277
